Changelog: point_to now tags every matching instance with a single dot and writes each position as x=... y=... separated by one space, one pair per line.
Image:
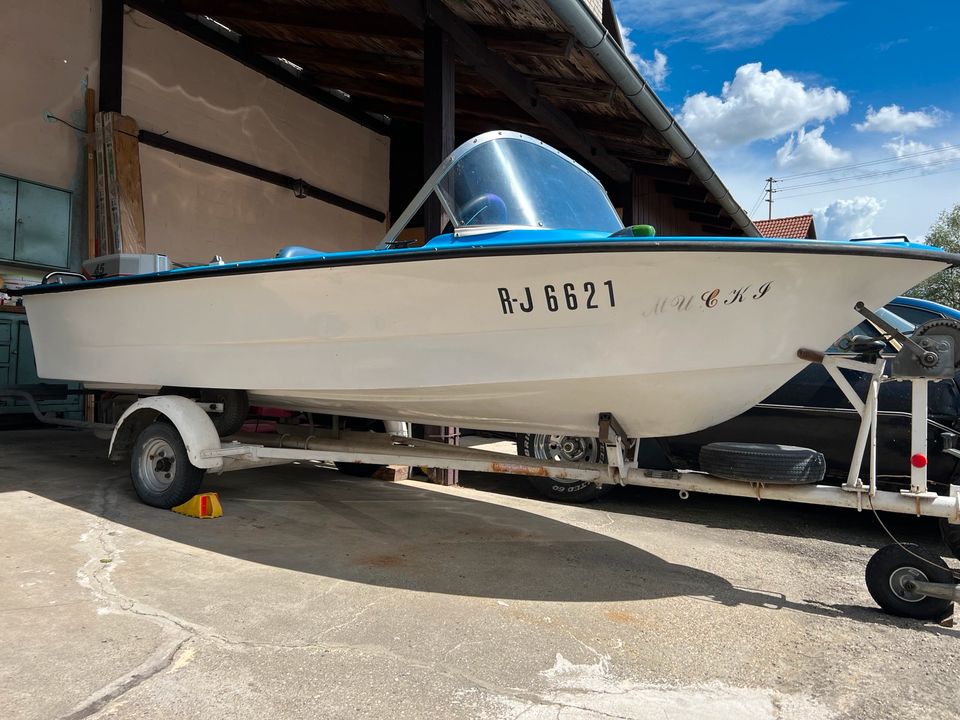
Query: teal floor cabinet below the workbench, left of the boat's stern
x=18 y=367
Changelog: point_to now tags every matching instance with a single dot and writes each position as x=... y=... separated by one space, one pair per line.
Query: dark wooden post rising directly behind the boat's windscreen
x=438 y=140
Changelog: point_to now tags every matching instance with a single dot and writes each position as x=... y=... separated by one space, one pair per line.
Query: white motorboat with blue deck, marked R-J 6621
x=536 y=312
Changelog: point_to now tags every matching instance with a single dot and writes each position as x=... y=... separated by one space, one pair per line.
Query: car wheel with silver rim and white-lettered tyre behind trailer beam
x=568 y=448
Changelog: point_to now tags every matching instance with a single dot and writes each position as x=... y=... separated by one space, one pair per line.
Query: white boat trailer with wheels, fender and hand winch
x=170 y=438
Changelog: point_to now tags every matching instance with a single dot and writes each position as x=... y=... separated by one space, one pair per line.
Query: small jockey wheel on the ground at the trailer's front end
x=892 y=566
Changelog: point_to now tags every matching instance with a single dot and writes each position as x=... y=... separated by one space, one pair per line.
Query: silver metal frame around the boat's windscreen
x=432 y=185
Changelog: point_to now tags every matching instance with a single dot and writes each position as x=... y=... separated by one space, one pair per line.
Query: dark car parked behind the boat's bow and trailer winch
x=808 y=411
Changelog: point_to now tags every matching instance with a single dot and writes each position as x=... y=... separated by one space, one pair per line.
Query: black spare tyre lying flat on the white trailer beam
x=771 y=464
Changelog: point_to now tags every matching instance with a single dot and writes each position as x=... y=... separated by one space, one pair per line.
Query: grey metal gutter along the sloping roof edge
x=598 y=41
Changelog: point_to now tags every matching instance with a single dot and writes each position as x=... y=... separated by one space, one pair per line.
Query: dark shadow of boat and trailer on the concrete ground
x=313 y=520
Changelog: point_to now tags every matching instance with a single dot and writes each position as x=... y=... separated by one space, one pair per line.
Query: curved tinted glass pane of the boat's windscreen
x=508 y=181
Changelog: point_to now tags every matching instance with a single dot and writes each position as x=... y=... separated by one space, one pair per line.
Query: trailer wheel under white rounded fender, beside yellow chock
x=162 y=474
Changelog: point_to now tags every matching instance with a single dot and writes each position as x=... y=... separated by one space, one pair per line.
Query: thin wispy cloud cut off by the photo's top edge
x=722 y=25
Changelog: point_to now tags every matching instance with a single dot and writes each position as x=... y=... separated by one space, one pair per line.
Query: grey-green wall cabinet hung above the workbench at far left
x=34 y=223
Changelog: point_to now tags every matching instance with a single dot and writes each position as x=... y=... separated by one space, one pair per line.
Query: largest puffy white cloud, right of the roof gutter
x=757 y=105
